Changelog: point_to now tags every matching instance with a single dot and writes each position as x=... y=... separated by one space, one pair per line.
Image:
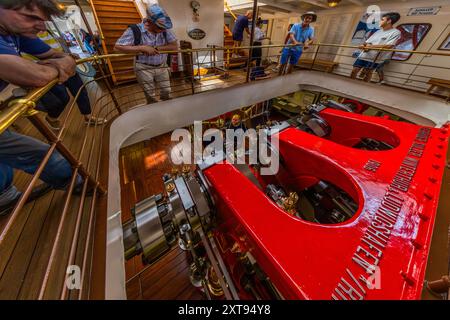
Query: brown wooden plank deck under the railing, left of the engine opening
x=26 y=250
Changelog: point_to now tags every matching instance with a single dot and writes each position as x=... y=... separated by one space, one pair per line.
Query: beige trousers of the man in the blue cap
x=150 y=78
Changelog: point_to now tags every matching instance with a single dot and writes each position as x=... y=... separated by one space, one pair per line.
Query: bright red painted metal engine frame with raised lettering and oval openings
x=312 y=261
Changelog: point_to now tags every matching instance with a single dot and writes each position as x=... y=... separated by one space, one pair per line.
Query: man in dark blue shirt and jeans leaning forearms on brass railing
x=20 y=21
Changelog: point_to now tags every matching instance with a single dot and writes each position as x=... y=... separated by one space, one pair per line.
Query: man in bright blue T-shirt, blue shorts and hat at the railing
x=300 y=34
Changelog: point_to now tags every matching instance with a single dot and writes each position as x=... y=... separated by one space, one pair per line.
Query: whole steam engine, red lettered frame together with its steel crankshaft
x=348 y=215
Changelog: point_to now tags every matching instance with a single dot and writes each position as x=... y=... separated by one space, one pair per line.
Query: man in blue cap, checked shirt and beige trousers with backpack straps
x=151 y=65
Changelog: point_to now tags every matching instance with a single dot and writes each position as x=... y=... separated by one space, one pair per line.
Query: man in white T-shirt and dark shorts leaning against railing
x=386 y=38
